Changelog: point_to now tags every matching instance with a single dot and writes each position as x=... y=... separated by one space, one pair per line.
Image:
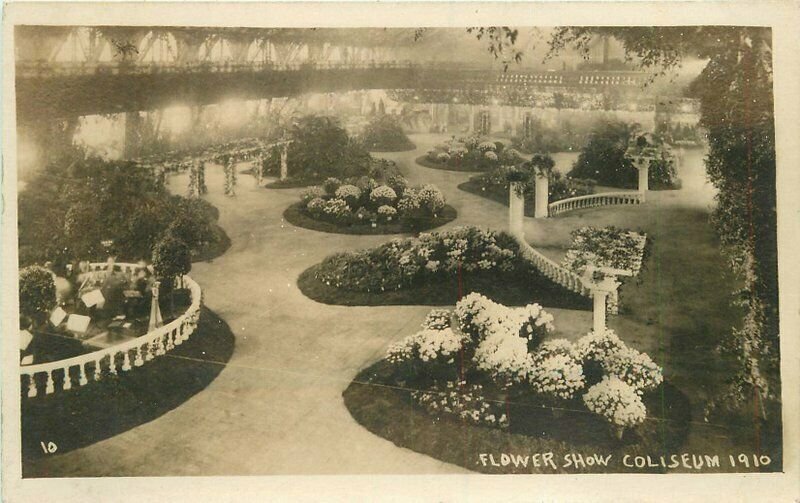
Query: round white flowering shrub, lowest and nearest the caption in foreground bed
x=617 y=402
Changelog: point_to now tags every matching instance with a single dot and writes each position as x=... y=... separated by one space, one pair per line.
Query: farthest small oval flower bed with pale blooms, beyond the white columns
x=470 y=154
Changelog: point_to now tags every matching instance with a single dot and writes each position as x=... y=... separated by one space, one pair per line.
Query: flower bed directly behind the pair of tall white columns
x=494 y=185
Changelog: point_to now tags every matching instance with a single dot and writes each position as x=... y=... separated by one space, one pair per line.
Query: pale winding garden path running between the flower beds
x=277 y=408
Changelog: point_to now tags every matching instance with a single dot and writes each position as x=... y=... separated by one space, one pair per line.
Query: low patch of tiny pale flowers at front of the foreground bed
x=464 y=401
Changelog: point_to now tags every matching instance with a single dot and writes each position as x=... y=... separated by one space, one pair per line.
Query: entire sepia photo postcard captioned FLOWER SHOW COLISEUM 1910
x=534 y=249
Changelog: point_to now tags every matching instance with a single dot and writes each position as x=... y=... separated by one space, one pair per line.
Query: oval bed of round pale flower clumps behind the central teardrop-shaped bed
x=368 y=205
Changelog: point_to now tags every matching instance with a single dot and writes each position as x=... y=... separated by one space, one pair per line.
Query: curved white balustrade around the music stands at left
x=125 y=356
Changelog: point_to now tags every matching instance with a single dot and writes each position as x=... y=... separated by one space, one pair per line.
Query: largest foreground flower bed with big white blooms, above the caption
x=485 y=378
